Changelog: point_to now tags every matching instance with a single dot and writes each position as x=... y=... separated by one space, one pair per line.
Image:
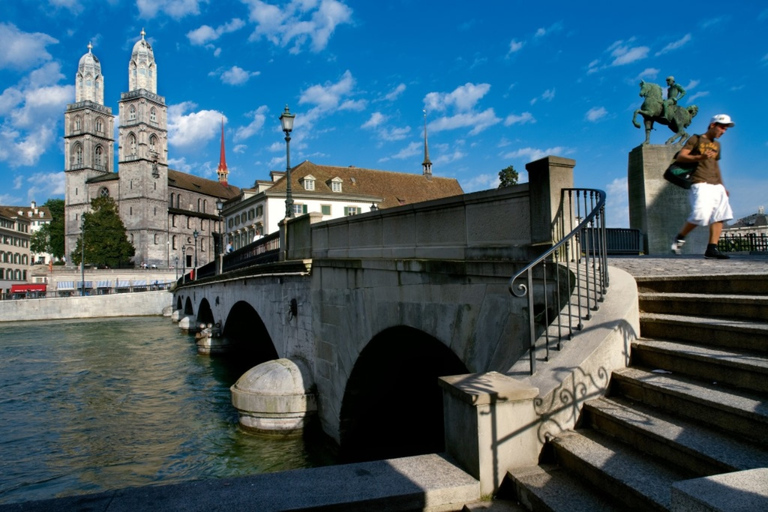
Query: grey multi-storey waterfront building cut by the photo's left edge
x=14 y=248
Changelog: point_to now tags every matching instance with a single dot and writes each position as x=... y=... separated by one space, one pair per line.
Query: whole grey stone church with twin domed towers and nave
x=162 y=209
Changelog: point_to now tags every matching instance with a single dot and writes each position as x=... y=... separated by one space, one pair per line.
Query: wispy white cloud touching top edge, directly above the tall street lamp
x=298 y=22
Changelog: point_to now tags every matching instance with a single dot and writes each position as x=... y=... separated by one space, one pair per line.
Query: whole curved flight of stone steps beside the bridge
x=692 y=403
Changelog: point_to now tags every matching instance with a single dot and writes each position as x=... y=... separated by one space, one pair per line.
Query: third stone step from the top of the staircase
x=749 y=335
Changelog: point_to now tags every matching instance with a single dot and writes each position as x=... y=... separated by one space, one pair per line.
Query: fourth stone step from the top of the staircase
x=745 y=370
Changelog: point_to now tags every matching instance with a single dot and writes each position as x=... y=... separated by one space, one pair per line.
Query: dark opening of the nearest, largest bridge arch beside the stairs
x=392 y=405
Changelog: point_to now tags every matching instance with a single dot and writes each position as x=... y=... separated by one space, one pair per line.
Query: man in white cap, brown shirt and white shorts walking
x=709 y=198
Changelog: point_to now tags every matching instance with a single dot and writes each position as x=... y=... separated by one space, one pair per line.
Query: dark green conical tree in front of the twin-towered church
x=105 y=240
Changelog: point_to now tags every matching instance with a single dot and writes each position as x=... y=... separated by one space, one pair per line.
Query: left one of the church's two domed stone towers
x=88 y=144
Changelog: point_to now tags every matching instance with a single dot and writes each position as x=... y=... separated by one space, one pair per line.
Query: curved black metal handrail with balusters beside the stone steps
x=579 y=253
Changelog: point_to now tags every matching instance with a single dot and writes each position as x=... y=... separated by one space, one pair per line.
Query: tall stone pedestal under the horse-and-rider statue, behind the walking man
x=656 y=207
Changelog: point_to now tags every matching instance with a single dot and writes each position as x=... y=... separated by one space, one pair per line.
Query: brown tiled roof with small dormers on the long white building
x=393 y=188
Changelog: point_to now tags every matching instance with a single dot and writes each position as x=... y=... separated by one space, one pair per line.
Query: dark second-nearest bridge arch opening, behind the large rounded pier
x=251 y=341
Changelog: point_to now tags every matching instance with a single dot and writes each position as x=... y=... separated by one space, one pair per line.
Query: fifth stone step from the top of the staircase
x=729 y=410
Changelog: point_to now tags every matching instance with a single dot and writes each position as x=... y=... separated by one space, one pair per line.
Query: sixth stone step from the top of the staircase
x=686 y=444
